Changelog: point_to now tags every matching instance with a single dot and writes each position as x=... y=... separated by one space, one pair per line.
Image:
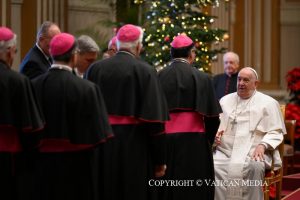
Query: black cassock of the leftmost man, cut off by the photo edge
x=20 y=123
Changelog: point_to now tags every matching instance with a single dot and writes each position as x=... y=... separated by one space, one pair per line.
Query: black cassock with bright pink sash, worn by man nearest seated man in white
x=194 y=112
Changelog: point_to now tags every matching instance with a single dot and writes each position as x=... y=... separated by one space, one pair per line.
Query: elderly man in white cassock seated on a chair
x=251 y=127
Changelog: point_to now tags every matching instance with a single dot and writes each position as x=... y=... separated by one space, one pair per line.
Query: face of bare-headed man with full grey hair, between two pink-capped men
x=84 y=60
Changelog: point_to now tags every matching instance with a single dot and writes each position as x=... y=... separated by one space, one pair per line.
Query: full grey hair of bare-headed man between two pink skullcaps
x=87 y=44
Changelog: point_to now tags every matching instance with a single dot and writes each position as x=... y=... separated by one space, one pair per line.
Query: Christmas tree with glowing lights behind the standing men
x=168 y=18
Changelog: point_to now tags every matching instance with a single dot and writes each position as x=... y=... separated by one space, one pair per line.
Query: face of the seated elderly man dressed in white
x=246 y=83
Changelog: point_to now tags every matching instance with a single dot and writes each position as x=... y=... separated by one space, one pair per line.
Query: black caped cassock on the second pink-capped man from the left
x=76 y=127
